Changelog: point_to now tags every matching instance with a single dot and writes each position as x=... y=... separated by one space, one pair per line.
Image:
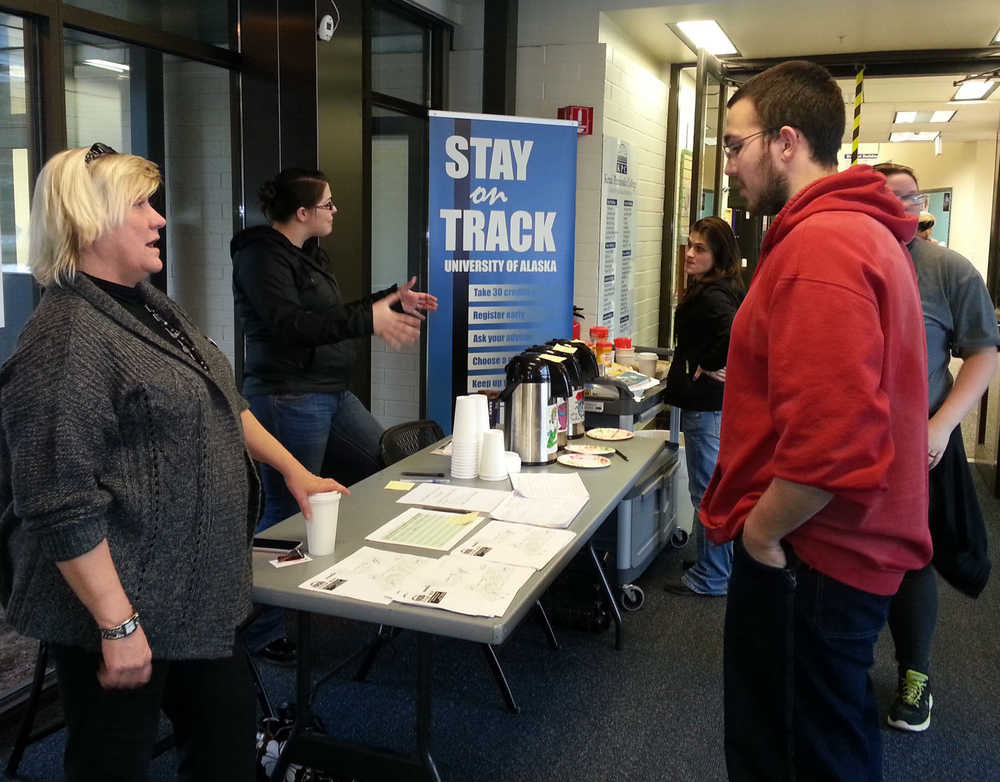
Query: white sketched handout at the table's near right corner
x=465 y=585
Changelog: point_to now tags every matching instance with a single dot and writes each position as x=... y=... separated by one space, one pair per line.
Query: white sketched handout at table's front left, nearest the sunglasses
x=368 y=574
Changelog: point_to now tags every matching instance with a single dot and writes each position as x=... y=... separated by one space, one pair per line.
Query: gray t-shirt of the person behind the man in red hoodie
x=959 y=316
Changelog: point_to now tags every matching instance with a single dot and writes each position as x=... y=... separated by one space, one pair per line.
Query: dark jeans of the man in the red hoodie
x=799 y=703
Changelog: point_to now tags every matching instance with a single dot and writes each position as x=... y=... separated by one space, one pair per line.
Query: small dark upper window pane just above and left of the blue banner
x=398 y=62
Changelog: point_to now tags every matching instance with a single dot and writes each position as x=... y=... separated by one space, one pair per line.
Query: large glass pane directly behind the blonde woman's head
x=162 y=102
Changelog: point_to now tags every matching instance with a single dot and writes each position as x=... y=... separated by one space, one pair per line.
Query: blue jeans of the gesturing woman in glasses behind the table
x=335 y=429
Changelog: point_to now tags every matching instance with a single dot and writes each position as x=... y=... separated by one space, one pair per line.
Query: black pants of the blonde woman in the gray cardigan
x=111 y=733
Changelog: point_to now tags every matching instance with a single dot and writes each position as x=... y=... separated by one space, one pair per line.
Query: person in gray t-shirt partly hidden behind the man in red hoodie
x=959 y=320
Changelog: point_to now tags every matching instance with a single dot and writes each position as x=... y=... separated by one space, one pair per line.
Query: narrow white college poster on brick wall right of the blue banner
x=616 y=277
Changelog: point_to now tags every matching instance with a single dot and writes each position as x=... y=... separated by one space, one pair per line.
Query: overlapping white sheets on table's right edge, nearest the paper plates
x=543 y=499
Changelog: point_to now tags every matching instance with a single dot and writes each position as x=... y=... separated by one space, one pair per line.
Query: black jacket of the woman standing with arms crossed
x=701 y=328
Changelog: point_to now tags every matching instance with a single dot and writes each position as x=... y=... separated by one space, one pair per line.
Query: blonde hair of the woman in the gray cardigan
x=76 y=202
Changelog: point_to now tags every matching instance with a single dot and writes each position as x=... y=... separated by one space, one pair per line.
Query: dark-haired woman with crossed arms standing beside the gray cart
x=695 y=381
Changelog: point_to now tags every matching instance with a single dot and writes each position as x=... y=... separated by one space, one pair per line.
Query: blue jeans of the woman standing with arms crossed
x=710 y=573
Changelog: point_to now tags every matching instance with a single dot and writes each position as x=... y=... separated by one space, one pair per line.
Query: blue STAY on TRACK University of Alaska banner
x=502 y=207
